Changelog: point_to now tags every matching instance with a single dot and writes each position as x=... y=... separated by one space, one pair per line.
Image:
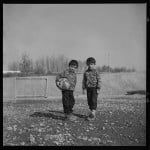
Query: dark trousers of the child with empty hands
x=92 y=98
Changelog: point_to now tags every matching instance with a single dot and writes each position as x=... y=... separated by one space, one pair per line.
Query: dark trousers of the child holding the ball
x=68 y=101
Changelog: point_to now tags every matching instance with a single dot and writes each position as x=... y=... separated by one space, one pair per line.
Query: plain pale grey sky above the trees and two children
x=112 y=33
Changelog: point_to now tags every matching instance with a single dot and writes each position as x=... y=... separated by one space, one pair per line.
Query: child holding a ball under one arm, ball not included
x=68 y=100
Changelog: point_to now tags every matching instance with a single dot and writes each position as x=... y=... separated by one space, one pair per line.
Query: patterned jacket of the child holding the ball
x=70 y=75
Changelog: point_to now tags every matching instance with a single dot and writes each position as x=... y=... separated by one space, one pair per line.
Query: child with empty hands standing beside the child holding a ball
x=92 y=84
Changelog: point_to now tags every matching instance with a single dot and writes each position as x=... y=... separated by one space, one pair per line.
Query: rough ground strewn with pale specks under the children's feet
x=120 y=121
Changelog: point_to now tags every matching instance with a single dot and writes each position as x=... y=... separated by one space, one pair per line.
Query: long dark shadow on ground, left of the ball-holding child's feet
x=49 y=115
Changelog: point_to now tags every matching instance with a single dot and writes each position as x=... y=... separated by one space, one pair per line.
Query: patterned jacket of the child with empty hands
x=91 y=78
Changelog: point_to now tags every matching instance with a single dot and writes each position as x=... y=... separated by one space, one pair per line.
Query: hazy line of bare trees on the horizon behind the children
x=51 y=65
